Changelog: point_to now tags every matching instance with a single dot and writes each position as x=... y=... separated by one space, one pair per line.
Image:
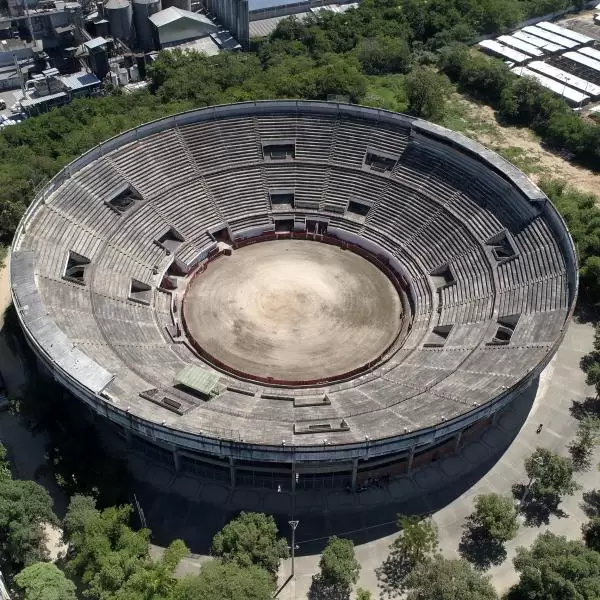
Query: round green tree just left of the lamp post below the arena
x=251 y=539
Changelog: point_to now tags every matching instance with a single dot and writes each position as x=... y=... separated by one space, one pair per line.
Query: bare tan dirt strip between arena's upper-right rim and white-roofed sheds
x=519 y=145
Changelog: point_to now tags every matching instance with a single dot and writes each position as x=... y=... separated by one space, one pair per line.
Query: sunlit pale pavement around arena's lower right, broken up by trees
x=560 y=384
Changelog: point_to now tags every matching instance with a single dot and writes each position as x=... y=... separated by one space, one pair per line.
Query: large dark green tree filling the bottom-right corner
x=555 y=568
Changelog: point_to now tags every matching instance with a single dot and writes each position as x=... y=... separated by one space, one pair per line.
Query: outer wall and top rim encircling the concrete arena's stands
x=343 y=457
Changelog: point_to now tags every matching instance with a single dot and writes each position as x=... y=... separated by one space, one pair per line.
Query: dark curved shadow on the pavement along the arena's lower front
x=366 y=517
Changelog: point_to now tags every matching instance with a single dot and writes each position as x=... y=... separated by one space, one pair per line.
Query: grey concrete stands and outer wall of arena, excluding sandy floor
x=447 y=378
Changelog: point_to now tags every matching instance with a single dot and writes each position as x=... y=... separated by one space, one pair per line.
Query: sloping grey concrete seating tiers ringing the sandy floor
x=434 y=204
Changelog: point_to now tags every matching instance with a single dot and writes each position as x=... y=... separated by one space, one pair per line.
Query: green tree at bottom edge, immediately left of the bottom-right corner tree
x=442 y=579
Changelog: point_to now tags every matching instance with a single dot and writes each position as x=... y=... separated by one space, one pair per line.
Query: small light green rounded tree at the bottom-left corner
x=44 y=581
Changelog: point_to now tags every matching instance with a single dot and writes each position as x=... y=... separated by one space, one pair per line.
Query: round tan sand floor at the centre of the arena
x=293 y=310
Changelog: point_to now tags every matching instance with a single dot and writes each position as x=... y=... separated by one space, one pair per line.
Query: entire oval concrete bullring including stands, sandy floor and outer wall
x=295 y=294
